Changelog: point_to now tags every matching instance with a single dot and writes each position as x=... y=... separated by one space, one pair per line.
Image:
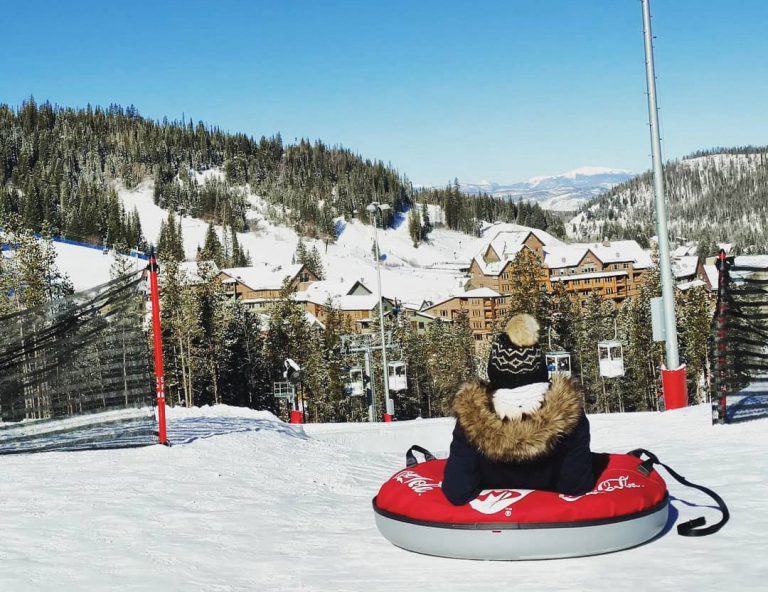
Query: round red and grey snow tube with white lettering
x=627 y=507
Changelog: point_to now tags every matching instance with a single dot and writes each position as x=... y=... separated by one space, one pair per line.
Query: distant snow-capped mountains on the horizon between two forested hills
x=564 y=192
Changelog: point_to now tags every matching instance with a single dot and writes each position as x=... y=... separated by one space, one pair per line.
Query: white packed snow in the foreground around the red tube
x=258 y=505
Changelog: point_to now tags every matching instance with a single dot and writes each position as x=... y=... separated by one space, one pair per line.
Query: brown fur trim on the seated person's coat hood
x=534 y=435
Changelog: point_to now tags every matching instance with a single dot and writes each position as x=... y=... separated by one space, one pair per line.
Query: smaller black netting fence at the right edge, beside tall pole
x=740 y=340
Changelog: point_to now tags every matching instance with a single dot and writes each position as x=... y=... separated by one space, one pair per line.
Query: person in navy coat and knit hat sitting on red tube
x=520 y=430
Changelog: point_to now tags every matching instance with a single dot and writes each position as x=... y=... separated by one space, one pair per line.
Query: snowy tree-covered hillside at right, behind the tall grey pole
x=719 y=195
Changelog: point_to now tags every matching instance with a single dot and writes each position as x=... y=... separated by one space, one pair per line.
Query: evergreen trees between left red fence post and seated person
x=218 y=351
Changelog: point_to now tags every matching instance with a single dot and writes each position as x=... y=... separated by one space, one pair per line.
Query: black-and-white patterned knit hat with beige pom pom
x=516 y=358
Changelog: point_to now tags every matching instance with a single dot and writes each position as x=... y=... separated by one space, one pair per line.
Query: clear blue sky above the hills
x=474 y=89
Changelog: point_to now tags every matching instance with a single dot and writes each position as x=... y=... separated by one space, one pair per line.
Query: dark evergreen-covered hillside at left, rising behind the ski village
x=59 y=166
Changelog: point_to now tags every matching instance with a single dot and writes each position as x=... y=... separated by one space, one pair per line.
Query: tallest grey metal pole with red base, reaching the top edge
x=673 y=375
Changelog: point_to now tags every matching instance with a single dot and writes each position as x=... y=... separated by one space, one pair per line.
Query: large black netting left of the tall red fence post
x=76 y=373
